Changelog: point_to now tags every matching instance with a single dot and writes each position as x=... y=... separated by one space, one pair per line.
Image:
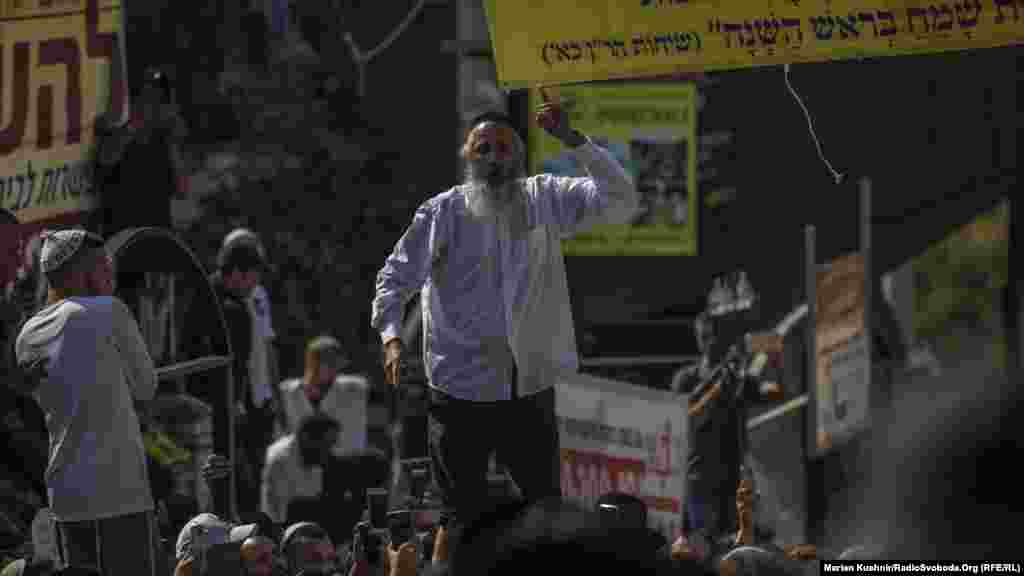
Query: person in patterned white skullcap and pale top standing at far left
x=87 y=364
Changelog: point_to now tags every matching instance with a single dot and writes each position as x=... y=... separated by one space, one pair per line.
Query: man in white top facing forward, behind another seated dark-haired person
x=324 y=390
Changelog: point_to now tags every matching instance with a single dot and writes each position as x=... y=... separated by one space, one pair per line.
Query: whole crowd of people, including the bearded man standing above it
x=485 y=259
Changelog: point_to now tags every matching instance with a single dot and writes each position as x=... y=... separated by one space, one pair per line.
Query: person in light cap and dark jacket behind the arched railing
x=240 y=271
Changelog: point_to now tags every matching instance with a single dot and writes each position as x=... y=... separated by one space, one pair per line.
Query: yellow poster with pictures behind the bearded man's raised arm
x=651 y=130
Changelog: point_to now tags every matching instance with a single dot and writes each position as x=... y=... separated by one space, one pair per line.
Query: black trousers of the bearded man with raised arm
x=522 y=433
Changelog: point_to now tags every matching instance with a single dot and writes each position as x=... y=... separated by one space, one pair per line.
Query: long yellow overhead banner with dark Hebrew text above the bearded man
x=542 y=43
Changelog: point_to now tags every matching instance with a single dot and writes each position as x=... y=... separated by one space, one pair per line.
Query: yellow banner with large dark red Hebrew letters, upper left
x=63 y=64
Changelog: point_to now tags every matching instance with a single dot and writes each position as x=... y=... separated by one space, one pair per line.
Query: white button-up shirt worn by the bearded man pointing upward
x=493 y=291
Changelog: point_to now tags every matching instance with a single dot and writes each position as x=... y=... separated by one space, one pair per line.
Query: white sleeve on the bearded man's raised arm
x=607 y=196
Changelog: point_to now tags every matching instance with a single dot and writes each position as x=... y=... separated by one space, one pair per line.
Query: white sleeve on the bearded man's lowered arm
x=405 y=272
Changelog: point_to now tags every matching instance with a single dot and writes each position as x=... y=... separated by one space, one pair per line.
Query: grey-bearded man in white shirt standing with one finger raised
x=486 y=259
